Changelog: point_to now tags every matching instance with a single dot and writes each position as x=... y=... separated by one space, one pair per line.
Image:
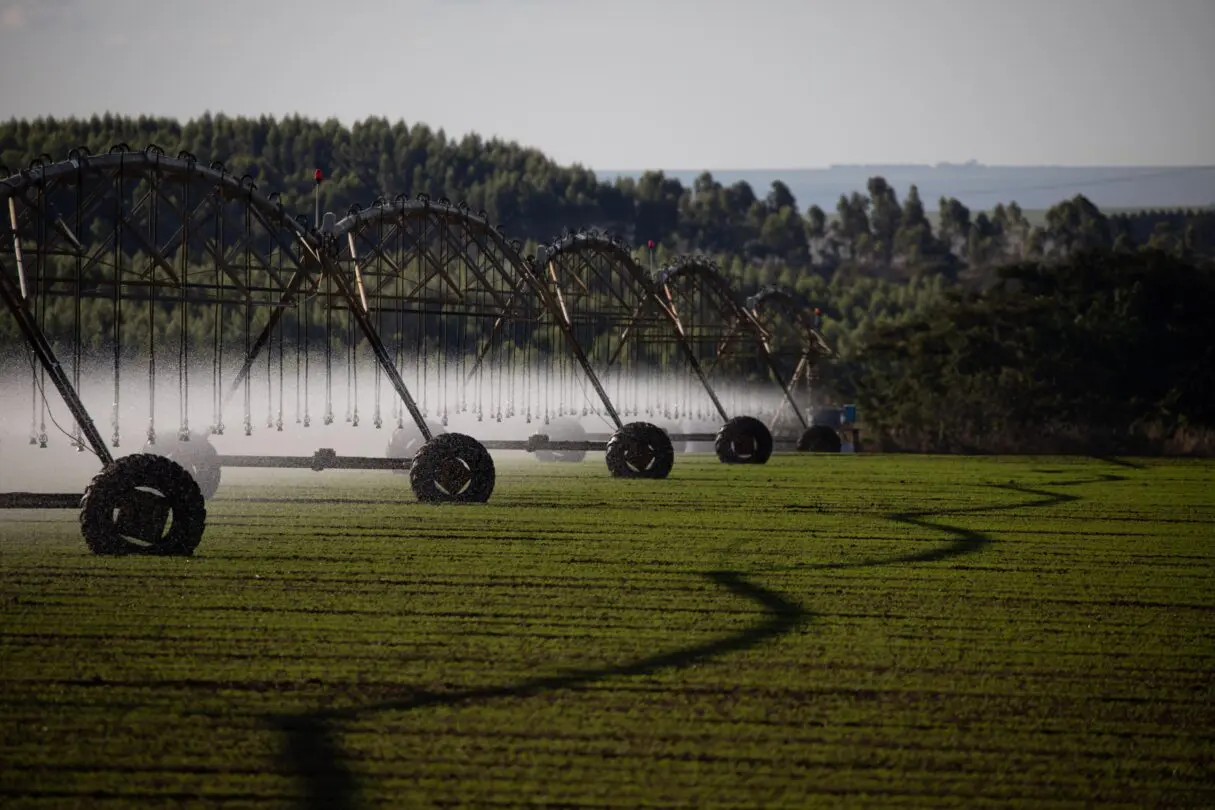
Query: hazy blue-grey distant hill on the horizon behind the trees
x=981 y=188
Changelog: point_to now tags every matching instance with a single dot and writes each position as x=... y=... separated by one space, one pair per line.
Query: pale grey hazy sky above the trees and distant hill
x=676 y=84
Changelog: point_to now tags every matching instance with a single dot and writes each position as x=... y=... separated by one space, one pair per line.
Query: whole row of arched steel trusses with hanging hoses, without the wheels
x=140 y=229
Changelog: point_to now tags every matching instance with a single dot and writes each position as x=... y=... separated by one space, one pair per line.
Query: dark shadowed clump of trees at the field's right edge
x=1104 y=353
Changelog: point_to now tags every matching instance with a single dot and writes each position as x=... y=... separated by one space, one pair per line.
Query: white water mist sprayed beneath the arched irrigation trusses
x=675 y=401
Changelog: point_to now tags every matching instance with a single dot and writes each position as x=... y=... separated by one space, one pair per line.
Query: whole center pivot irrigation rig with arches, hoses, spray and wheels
x=131 y=263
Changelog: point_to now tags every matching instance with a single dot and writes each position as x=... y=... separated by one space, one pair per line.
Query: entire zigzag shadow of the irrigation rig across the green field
x=312 y=749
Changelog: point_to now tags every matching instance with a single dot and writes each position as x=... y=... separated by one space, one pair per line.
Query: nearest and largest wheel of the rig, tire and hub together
x=144 y=505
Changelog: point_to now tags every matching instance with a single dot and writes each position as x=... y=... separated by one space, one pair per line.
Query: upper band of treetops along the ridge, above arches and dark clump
x=532 y=197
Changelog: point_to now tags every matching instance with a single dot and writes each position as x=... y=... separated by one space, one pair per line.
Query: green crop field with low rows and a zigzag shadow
x=820 y=632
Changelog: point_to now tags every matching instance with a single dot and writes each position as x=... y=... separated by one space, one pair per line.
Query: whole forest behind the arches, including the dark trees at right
x=960 y=331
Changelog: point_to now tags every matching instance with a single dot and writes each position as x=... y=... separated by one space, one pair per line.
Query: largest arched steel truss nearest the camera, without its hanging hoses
x=166 y=225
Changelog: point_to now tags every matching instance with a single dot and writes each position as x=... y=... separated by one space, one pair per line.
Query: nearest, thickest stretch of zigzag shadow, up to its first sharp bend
x=313 y=754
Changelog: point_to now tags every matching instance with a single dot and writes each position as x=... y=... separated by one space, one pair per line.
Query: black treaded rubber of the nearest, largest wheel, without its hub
x=144 y=472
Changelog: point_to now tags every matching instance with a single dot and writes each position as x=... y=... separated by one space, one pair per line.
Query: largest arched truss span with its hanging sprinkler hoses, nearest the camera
x=143 y=229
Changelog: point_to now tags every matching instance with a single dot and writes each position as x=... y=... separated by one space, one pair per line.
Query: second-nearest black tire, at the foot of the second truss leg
x=453 y=468
